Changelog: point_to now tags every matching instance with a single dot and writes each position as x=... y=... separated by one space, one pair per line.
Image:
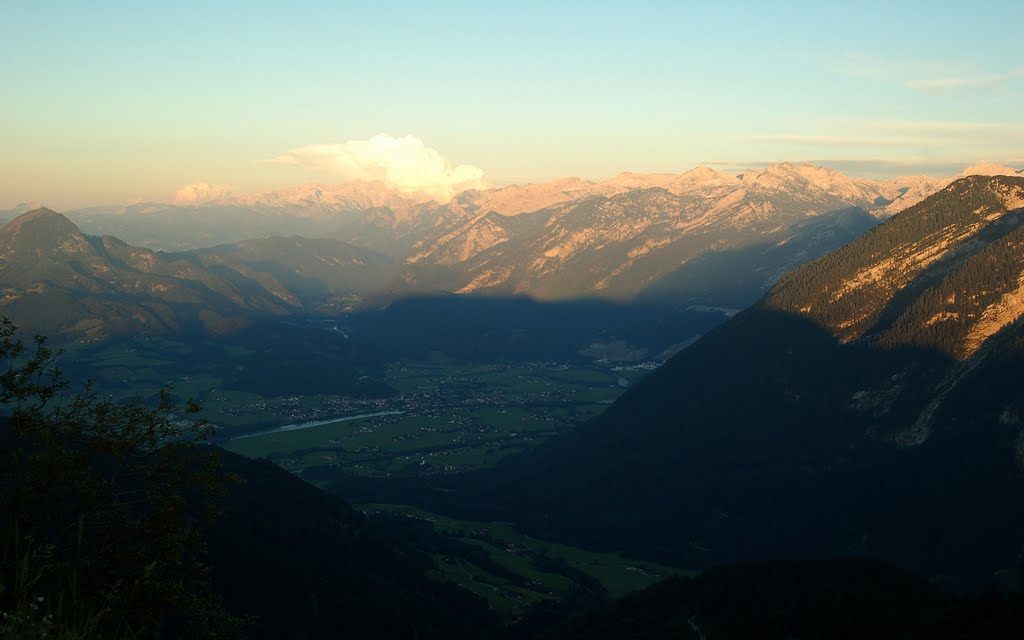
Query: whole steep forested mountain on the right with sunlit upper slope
x=871 y=404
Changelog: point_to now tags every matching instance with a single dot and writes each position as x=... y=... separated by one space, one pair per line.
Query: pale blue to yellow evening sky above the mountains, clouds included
x=106 y=103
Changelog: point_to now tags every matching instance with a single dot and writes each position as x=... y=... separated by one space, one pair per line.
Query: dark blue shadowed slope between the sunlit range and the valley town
x=495 y=330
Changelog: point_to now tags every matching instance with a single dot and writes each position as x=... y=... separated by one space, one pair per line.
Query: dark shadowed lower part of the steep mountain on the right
x=770 y=439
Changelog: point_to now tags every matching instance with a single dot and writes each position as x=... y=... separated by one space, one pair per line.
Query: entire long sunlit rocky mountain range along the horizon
x=565 y=239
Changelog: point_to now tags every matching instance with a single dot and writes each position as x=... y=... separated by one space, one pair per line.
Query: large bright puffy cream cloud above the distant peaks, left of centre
x=405 y=164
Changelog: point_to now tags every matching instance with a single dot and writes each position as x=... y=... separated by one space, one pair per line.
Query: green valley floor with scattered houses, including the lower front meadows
x=450 y=418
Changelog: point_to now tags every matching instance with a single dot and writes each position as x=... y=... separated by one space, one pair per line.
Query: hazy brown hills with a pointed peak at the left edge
x=57 y=280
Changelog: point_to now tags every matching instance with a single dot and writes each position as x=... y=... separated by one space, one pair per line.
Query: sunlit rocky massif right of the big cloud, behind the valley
x=624 y=242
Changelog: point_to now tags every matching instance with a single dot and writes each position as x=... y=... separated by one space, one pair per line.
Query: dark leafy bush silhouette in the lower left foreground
x=102 y=505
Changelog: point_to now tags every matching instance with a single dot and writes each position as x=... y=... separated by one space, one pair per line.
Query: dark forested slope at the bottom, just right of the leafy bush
x=302 y=564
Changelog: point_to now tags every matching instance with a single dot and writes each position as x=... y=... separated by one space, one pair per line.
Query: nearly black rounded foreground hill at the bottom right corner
x=836 y=600
